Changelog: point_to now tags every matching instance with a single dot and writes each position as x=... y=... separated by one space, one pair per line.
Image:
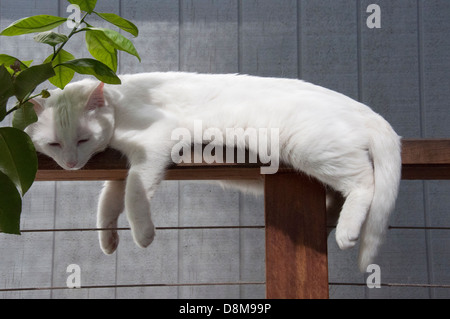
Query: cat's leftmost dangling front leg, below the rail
x=110 y=206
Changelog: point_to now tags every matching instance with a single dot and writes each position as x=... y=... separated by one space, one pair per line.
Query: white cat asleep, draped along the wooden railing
x=339 y=141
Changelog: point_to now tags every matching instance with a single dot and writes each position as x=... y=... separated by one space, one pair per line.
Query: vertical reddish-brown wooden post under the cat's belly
x=296 y=237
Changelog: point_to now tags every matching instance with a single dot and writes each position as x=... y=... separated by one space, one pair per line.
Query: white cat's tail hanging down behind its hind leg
x=385 y=150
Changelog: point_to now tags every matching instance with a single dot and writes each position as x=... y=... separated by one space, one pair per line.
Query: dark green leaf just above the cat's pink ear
x=93 y=67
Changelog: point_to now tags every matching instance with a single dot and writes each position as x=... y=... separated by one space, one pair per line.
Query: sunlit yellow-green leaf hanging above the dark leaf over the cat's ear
x=100 y=48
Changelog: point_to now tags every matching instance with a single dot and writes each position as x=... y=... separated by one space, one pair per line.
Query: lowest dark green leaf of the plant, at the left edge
x=10 y=206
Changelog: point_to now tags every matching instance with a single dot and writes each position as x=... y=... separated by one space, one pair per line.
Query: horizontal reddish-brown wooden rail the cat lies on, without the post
x=422 y=159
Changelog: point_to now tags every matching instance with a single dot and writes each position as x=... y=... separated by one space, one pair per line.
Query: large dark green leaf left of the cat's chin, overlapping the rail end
x=18 y=159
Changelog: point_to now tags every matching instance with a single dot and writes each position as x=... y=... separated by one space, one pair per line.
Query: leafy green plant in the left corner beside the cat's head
x=19 y=80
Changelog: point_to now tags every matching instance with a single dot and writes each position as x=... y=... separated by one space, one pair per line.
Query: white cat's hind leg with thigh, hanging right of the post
x=346 y=166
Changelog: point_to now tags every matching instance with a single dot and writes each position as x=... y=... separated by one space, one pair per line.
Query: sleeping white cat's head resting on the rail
x=73 y=124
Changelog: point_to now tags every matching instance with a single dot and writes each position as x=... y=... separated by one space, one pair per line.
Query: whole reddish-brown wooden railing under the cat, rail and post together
x=295 y=217
